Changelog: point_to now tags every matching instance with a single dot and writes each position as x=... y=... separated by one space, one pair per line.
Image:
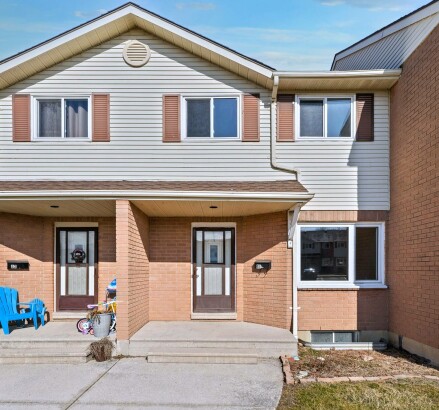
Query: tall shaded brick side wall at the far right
x=413 y=229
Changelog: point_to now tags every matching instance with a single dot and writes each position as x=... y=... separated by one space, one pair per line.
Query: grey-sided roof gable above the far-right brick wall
x=390 y=46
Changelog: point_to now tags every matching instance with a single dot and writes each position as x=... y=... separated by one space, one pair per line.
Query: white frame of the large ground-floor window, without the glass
x=351 y=283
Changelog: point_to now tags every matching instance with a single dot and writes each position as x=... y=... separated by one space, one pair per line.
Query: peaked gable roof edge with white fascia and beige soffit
x=117 y=22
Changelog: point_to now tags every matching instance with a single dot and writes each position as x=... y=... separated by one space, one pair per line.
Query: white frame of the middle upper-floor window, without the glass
x=183 y=124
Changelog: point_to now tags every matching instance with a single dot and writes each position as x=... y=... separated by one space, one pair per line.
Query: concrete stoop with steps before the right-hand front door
x=210 y=342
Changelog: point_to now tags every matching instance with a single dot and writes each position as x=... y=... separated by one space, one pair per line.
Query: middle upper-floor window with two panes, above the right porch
x=211 y=117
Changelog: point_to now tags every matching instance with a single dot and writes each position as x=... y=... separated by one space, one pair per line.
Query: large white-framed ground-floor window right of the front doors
x=347 y=255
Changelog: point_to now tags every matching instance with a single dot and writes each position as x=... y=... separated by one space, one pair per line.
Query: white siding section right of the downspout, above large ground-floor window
x=344 y=174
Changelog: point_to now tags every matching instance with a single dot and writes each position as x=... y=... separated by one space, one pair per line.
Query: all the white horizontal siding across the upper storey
x=136 y=150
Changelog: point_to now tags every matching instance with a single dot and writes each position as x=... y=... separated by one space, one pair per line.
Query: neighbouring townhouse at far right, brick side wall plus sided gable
x=412 y=270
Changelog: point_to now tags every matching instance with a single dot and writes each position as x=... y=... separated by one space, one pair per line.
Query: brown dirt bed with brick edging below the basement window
x=339 y=363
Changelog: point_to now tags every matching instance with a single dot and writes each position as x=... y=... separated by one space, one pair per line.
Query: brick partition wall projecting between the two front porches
x=132 y=243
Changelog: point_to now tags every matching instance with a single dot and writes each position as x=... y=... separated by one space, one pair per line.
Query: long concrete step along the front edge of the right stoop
x=258 y=349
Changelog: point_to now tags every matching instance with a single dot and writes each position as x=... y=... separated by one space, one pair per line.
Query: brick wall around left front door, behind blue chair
x=32 y=238
